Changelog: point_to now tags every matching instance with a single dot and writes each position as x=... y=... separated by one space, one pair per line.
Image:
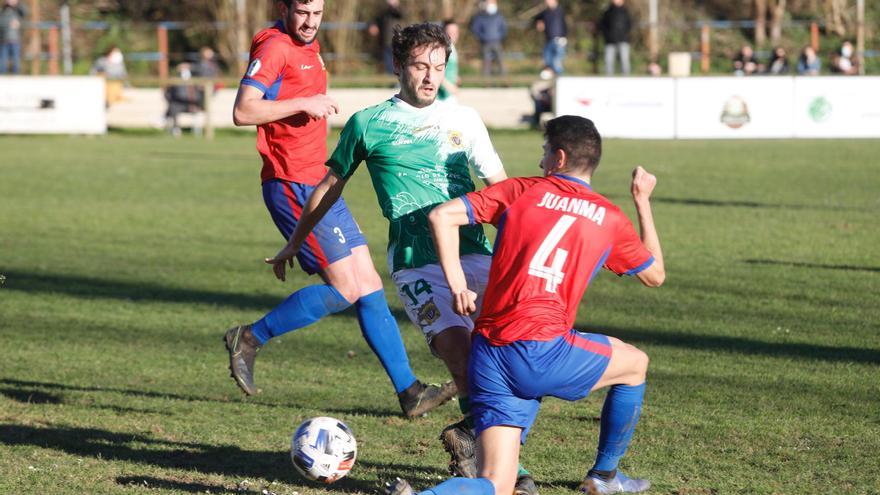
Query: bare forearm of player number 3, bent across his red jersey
x=251 y=109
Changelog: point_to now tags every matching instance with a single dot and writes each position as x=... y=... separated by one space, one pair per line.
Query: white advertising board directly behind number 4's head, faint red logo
x=633 y=107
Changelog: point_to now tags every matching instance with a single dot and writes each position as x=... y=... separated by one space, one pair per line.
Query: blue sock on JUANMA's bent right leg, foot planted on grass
x=623 y=404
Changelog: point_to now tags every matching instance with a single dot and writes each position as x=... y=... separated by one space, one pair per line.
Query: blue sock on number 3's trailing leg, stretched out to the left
x=301 y=309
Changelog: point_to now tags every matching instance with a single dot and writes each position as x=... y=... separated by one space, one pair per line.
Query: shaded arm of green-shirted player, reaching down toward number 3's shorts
x=322 y=198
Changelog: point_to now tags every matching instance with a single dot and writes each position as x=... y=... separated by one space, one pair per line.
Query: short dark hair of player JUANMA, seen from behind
x=579 y=139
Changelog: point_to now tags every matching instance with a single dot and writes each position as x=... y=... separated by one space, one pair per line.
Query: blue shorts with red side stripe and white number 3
x=330 y=241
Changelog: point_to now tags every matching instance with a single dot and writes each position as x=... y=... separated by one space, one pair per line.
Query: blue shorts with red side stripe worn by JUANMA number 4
x=508 y=382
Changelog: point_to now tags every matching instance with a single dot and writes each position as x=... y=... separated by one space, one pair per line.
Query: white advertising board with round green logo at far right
x=837 y=107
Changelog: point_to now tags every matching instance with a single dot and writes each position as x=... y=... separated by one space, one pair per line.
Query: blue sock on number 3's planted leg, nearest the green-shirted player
x=383 y=336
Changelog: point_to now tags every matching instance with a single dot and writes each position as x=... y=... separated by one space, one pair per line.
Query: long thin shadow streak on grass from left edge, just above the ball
x=22 y=395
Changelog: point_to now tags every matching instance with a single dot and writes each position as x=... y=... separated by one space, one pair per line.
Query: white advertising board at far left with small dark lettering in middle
x=52 y=105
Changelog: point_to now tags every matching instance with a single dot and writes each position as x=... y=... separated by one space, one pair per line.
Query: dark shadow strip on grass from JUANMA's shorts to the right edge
x=741 y=345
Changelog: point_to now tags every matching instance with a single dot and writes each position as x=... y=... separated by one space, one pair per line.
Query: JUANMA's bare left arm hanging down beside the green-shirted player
x=445 y=220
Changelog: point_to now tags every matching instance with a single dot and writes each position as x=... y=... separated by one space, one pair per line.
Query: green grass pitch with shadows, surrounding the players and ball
x=126 y=256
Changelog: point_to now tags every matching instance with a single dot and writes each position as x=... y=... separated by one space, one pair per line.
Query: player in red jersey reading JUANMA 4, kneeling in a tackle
x=554 y=234
